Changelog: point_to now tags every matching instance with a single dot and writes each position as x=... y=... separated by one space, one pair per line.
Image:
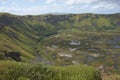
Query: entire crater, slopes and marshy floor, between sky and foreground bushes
x=91 y=39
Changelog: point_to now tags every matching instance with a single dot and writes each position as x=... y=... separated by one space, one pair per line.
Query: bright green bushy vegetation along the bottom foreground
x=22 y=71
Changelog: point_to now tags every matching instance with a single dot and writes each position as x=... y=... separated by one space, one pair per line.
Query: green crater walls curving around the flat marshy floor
x=21 y=33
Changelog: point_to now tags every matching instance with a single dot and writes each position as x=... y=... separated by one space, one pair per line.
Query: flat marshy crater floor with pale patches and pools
x=93 y=48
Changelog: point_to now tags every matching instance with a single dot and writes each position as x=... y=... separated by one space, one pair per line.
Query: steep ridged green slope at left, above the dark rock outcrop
x=15 y=35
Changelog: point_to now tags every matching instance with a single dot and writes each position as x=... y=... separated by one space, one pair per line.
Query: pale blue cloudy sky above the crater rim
x=35 y=7
